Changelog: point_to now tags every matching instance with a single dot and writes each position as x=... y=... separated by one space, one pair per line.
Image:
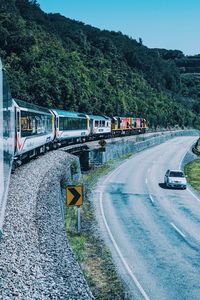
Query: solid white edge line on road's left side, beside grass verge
x=140 y=288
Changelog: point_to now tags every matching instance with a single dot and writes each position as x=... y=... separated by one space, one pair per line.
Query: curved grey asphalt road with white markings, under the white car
x=154 y=232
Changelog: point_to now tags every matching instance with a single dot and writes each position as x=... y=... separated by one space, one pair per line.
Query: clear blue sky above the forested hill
x=170 y=24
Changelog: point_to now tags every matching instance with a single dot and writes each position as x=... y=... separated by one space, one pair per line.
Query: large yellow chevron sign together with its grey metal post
x=74 y=197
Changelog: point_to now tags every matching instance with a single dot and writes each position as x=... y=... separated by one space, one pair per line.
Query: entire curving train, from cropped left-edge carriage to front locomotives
x=27 y=130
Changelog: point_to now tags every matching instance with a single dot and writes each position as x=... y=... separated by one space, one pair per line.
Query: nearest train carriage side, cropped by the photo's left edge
x=7 y=140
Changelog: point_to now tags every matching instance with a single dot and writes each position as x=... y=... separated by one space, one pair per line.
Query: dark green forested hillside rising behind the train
x=57 y=62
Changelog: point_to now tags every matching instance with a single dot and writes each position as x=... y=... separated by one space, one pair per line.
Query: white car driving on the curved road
x=175 y=179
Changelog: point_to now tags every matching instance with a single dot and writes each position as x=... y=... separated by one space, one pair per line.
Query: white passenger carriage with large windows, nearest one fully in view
x=35 y=130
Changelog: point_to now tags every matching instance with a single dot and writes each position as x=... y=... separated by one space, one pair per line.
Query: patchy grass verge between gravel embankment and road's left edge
x=91 y=252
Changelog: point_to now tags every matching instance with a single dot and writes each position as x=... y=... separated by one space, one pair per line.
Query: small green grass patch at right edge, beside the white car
x=192 y=170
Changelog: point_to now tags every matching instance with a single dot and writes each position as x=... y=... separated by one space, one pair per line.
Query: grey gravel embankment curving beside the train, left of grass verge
x=36 y=261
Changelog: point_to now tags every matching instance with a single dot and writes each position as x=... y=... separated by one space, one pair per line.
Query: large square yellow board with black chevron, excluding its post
x=74 y=195
